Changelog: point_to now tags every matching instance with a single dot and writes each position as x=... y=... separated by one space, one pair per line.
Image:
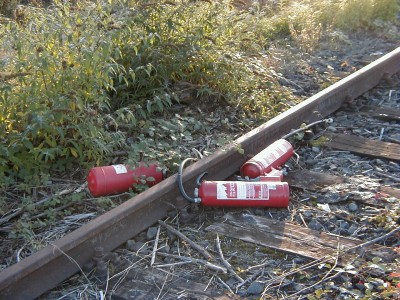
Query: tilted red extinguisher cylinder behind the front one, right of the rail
x=270 y=158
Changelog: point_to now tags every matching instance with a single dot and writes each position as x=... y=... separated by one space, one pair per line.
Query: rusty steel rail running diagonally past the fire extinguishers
x=56 y=262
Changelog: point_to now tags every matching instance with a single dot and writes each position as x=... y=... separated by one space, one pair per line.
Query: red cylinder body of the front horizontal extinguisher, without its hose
x=244 y=194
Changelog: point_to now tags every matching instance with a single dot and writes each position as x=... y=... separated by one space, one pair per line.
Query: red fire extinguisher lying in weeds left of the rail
x=120 y=178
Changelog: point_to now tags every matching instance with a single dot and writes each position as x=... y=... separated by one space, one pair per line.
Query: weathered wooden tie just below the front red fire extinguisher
x=297 y=240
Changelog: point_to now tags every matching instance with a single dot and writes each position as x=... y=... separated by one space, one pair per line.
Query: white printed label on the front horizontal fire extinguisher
x=242 y=191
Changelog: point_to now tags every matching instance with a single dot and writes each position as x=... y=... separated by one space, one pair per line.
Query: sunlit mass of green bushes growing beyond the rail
x=75 y=75
